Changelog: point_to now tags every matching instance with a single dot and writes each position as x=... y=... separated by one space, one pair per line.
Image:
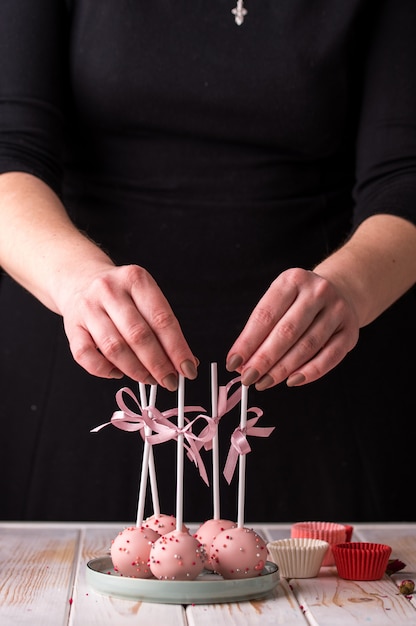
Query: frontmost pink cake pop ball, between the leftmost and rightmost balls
x=177 y=556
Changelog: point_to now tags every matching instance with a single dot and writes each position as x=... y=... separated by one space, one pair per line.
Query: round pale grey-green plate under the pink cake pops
x=208 y=588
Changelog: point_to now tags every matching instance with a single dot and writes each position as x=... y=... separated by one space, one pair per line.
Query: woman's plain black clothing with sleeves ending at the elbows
x=216 y=156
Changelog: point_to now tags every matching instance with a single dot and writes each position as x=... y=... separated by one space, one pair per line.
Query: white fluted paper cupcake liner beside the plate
x=298 y=557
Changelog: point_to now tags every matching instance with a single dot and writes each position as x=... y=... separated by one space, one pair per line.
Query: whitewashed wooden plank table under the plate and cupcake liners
x=42 y=583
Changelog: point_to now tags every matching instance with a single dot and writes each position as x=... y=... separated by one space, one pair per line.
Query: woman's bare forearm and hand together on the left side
x=116 y=319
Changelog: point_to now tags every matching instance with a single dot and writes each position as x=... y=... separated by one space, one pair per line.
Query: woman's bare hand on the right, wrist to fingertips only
x=302 y=327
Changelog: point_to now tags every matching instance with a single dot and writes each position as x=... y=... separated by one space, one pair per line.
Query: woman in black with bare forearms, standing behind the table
x=269 y=167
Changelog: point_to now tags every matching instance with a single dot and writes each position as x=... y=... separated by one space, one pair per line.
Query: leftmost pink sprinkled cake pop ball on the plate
x=130 y=551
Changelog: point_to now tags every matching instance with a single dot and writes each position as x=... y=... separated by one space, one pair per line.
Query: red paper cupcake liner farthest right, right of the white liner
x=361 y=560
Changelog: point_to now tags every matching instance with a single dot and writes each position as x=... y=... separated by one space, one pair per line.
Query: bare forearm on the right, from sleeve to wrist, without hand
x=375 y=267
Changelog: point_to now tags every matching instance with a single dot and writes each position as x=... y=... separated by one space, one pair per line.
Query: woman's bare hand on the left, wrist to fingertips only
x=118 y=322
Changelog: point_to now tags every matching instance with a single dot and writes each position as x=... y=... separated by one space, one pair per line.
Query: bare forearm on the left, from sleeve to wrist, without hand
x=39 y=246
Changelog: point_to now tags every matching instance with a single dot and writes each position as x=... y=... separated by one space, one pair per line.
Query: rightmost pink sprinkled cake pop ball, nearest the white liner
x=238 y=553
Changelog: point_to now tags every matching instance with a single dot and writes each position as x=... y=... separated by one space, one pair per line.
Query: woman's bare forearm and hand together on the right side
x=307 y=322
